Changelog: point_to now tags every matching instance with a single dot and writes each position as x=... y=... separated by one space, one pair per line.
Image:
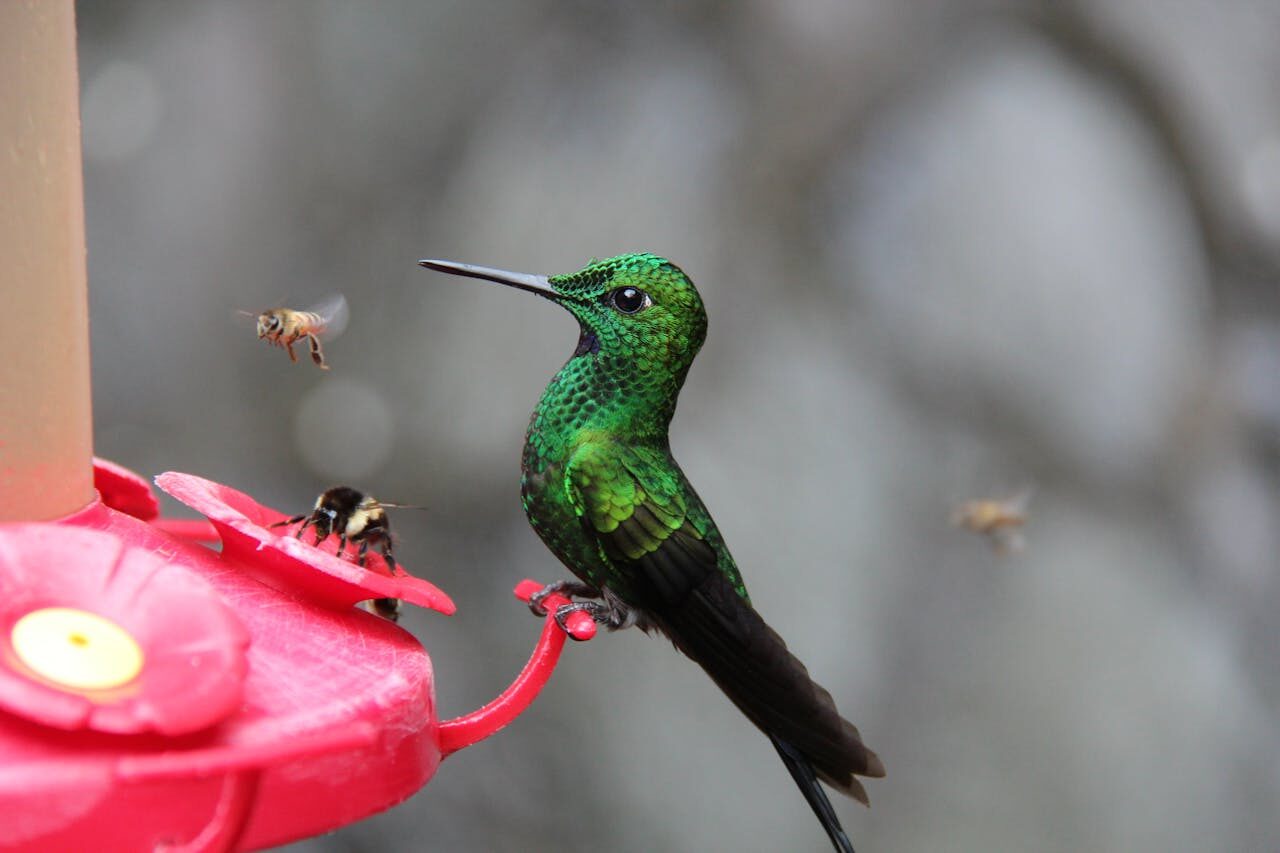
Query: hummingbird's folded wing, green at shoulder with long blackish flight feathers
x=671 y=564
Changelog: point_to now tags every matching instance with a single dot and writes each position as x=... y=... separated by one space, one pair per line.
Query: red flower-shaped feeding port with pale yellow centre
x=112 y=638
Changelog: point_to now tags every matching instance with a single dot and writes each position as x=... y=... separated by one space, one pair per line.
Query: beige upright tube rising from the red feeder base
x=47 y=428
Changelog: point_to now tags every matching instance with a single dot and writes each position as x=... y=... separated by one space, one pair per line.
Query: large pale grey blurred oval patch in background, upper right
x=1023 y=254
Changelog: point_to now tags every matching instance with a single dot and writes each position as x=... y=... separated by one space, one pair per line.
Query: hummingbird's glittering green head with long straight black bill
x=639 y=308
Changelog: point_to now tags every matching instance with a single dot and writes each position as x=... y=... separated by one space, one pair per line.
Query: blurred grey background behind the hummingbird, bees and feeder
x=948 y=250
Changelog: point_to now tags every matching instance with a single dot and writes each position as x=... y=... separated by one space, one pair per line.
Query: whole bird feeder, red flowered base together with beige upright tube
x=157 y=695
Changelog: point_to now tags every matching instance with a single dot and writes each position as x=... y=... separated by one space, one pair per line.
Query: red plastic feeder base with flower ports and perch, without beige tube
x=157 y=695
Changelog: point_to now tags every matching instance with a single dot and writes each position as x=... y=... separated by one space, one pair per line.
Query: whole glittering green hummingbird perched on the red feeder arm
x=604 y=491
